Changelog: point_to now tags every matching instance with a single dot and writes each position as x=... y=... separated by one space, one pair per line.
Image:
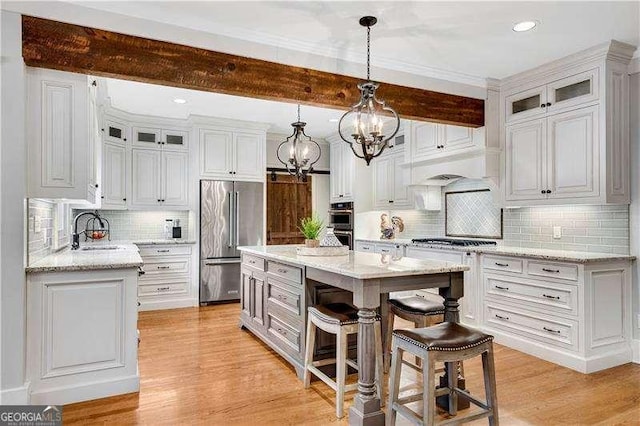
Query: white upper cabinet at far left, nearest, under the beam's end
x=62 y=136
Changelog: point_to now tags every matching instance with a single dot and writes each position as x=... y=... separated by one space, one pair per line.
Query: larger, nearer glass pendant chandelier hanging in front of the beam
x=364 y=123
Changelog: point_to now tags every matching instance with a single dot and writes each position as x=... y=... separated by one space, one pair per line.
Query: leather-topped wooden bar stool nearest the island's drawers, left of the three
x=340 y=319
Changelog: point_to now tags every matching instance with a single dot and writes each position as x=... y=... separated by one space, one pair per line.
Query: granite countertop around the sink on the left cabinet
x=126 y=256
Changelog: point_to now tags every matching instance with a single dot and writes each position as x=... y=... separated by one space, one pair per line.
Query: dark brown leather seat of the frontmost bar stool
x=447 y=336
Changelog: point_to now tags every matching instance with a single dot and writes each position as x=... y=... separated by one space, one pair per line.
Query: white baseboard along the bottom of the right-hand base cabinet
x=617 y=356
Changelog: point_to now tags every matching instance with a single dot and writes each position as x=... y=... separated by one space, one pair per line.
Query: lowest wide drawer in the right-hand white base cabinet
x=555 y=331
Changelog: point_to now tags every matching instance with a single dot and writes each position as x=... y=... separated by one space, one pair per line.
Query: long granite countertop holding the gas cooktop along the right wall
x=535 y=253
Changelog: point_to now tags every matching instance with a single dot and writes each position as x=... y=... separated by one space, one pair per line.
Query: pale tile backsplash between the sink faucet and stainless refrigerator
x=138 y=225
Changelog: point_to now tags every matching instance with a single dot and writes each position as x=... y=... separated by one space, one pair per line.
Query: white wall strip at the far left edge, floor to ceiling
x=12 y=214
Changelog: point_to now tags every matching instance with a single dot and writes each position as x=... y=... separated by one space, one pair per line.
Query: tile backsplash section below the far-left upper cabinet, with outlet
x=40 y=217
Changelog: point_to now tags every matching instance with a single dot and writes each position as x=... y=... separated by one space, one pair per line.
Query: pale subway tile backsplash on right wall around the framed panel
x=602 y=229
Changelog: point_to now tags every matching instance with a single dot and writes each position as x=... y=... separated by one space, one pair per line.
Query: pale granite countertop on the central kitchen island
x=356 y=264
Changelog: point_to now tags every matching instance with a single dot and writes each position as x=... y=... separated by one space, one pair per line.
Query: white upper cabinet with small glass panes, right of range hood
x=566 y=133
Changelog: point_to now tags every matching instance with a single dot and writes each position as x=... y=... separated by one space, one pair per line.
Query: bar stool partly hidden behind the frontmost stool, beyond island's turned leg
x=420 y=311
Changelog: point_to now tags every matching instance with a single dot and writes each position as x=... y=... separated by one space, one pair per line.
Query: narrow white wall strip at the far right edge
x=634 y=120
